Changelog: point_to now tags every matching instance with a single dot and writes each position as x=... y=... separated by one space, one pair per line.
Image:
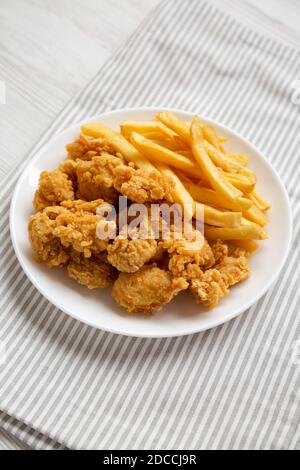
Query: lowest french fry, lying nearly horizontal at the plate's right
x=249 y=231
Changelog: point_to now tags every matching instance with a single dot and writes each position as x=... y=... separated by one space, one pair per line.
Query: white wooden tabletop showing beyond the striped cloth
x=50 y=48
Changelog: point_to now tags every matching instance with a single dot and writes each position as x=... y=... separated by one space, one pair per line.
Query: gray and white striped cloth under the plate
x=236 y=386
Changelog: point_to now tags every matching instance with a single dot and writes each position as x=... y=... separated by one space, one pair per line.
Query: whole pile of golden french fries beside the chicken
x=204 y=173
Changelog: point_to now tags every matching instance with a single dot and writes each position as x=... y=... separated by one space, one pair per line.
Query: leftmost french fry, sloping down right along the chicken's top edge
x=129 y=152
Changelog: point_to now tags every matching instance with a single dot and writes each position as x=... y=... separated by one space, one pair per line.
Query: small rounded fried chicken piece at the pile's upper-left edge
x=54 y=187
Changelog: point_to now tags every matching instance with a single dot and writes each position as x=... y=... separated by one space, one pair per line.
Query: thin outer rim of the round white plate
x=216 y=322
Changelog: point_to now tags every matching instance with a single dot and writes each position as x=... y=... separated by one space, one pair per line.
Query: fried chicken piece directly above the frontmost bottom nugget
x=130 y=255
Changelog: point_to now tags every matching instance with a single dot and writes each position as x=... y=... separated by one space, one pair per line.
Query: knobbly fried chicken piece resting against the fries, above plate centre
x=140 y=187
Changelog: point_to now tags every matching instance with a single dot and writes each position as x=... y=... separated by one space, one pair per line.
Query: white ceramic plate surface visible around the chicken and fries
x=182 y=316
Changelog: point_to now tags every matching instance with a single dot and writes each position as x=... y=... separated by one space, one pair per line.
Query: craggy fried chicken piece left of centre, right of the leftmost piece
x=77 y=227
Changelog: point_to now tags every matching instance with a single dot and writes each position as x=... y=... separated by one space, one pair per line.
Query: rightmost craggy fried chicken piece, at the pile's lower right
x=214 y=283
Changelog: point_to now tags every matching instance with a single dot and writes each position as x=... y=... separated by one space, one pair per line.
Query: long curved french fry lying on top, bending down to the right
x=209 y=170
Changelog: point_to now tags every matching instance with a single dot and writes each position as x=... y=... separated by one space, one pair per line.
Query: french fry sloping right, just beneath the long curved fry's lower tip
x=209 y=196
